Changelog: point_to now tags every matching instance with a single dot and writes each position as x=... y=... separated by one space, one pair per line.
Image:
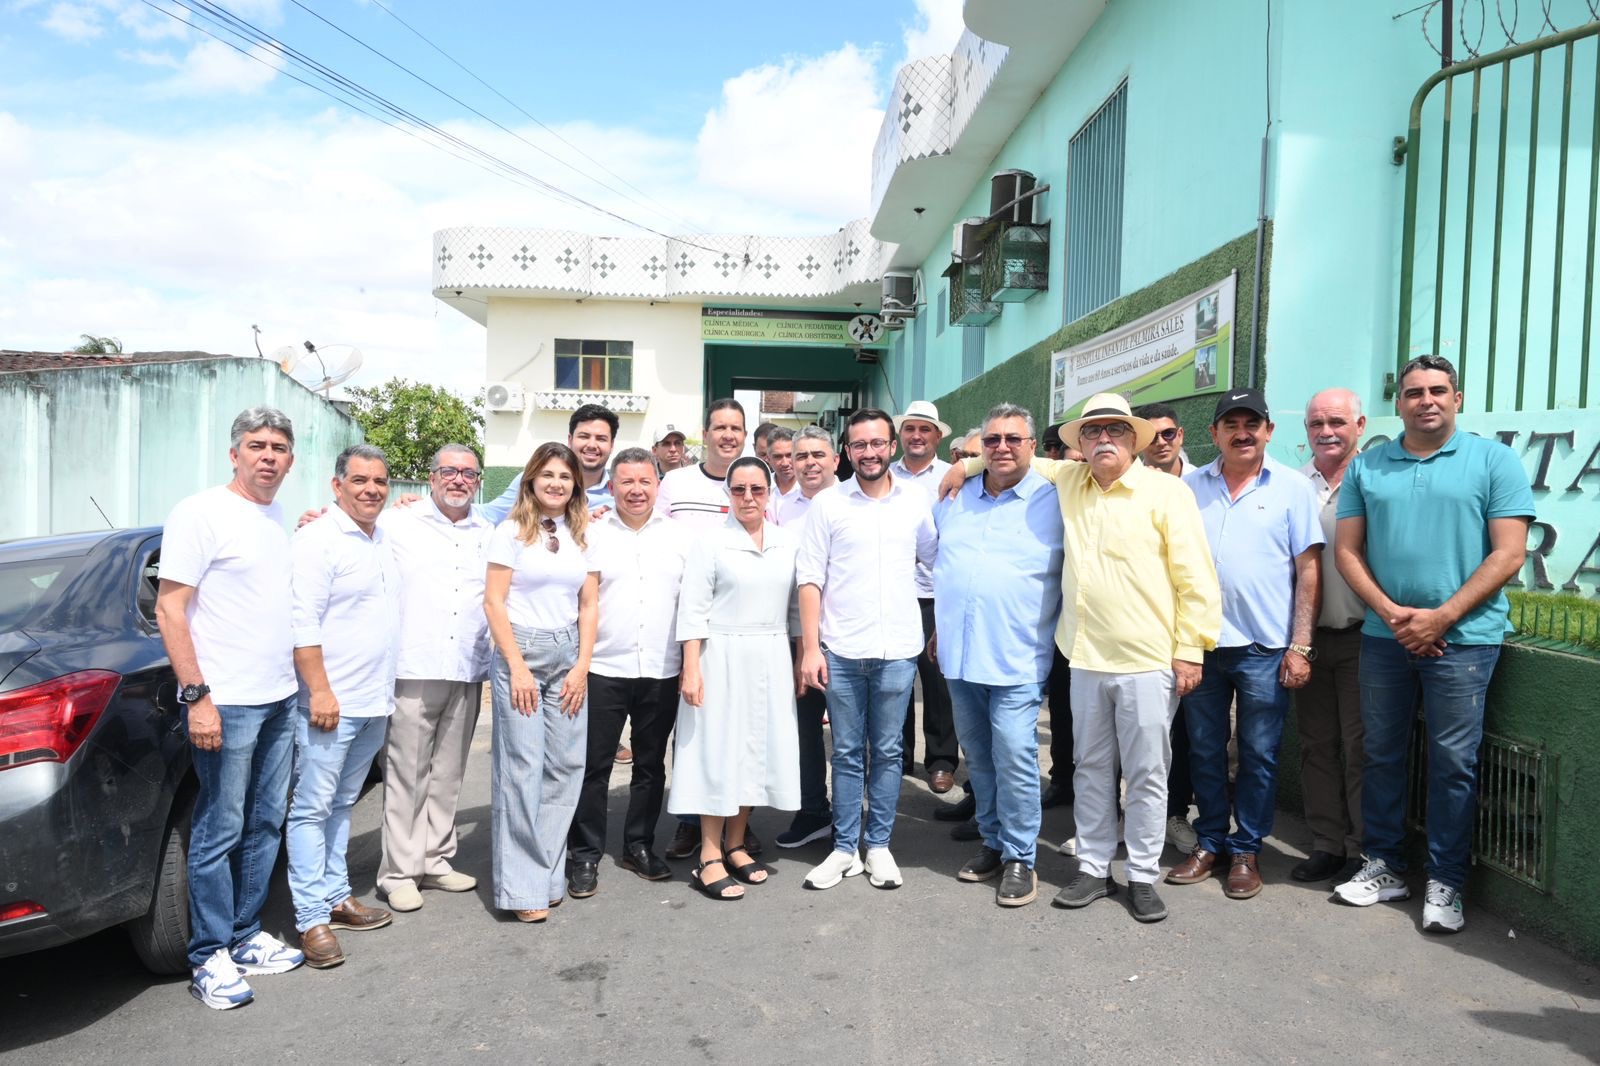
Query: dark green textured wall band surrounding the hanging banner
x=1025 y=377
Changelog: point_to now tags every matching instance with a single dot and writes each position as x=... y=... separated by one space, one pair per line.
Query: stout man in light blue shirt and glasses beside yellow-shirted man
x=998 y=595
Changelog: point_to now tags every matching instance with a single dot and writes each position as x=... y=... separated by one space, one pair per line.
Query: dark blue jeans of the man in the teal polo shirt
x=1454 y=689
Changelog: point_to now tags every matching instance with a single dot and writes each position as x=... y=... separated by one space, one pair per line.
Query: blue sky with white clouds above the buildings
x=170 y=191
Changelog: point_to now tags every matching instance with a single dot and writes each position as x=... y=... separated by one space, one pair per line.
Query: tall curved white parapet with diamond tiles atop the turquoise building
x=932 y=105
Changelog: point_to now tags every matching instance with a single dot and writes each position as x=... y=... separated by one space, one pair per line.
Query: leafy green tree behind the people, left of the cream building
x=410 y=422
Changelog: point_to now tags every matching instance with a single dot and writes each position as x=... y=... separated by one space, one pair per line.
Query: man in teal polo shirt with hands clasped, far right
x=1431 y=529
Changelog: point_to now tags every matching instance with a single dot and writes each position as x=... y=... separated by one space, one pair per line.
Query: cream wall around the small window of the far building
x=668 y=366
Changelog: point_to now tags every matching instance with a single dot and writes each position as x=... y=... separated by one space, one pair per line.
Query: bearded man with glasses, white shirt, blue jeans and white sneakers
x=862 y=630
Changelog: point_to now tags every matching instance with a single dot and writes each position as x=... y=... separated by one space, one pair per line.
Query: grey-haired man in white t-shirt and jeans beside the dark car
x=225 y=615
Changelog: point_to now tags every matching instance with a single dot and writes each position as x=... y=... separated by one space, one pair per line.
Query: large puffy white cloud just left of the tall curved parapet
x=798 y=135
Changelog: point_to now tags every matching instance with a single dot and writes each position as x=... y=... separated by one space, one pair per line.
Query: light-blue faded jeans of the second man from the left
x=330 y=767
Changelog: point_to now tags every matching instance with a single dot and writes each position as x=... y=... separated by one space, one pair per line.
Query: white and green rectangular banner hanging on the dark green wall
x=1183 y=350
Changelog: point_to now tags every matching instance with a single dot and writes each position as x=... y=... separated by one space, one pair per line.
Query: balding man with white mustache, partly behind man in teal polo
x=1329 y=710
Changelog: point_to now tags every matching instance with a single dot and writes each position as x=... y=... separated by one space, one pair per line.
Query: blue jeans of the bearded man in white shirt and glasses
x=866 y=710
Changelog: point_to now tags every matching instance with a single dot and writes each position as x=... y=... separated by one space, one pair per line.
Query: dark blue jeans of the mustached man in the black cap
x=1249 y=675
